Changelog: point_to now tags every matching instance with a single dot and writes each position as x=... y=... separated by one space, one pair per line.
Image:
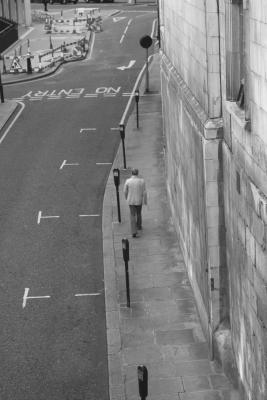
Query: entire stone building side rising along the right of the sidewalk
x=214 y=92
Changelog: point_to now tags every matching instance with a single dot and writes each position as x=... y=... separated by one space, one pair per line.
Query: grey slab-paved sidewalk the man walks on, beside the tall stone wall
x=161 y=330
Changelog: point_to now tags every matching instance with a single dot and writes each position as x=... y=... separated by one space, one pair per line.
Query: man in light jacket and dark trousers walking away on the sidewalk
x=136 y=195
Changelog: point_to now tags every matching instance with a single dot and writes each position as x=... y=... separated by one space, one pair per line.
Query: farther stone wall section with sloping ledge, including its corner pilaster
x=192 y=110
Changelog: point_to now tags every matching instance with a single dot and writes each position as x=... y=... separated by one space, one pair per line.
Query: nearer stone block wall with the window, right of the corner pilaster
x=245 y=196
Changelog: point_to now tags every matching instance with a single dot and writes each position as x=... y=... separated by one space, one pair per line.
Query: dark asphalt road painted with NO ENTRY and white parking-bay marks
x=54 y=164
